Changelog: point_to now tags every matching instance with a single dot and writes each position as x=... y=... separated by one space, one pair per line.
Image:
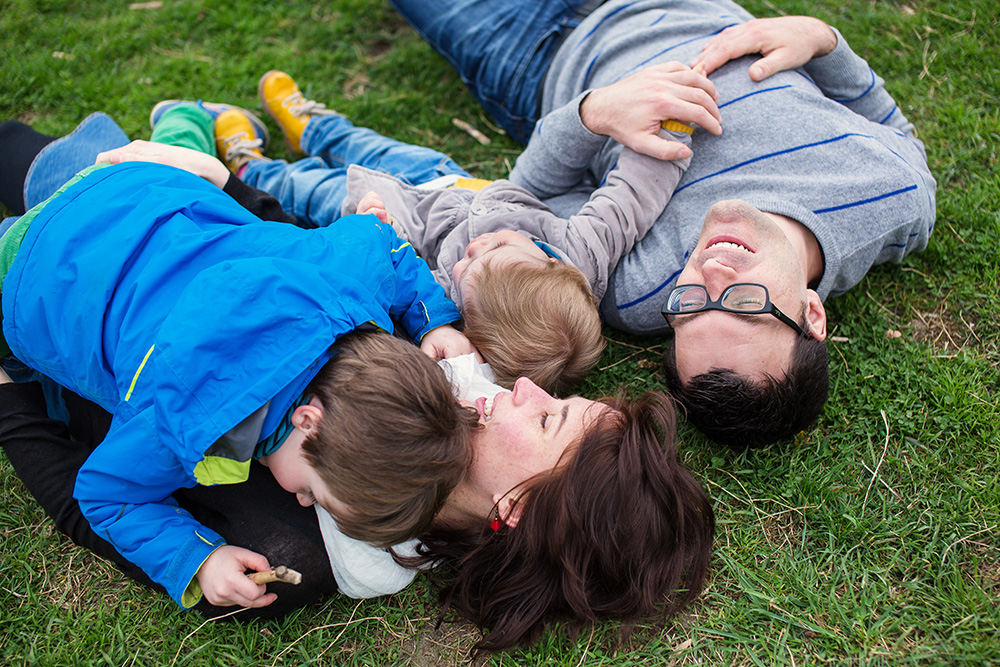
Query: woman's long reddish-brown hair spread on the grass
x=620 y=531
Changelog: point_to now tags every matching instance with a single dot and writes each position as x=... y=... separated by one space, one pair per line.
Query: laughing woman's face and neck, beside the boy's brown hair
x=523 y=433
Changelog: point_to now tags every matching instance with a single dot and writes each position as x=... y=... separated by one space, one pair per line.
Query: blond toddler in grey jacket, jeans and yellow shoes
x=526 y=280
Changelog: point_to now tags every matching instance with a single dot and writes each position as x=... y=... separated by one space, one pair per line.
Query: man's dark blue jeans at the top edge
x=501 y=49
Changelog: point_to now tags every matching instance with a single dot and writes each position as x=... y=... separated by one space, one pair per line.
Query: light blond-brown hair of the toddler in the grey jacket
x=536 y=321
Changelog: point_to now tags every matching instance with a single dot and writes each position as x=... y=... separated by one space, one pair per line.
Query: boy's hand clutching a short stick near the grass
x=224 y=582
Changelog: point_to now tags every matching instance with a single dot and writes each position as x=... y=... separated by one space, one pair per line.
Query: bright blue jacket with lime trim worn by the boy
x=154 y=294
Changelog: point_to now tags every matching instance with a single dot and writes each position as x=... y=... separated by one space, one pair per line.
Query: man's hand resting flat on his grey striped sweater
x=786 y=42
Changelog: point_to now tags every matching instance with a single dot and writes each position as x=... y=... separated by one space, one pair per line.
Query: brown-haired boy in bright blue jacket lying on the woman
x=207 y=333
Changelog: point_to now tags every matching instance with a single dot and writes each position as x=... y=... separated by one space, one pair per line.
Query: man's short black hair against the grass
x=733 y=410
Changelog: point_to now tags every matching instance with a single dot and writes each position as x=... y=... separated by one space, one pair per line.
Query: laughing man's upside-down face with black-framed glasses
x=741 y=244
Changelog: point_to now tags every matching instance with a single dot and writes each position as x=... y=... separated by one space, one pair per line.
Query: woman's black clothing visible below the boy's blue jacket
x=258 y=514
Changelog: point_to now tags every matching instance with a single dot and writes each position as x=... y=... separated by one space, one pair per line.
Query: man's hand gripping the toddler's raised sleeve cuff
x=630 y=110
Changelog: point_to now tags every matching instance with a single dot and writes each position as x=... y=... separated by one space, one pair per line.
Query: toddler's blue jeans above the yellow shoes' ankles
x=314 y=188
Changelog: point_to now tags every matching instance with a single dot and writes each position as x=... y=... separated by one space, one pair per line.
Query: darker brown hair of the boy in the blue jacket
x=393 y=441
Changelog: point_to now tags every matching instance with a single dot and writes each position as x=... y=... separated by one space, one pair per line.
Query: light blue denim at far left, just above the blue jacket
x=59 y=161
